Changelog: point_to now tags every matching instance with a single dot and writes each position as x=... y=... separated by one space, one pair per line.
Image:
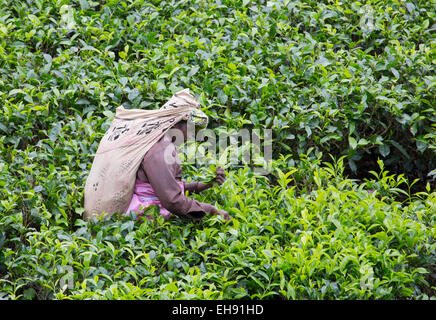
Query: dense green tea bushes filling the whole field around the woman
x=351 y=79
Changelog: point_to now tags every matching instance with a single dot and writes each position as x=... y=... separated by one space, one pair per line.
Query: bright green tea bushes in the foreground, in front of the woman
x=337 y=241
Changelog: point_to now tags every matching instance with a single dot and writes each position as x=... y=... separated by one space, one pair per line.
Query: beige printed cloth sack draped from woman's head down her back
x=110 y=183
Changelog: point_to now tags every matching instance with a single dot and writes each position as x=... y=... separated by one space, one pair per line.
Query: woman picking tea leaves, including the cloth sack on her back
x=136 y=163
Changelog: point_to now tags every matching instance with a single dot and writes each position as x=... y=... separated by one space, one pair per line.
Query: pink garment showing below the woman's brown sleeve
x=144 y=196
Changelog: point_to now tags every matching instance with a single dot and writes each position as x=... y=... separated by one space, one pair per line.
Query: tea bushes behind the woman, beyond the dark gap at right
x=318 y=73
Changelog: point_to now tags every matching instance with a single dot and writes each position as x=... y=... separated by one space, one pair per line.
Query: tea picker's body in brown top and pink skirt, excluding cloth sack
x=158 y=180
